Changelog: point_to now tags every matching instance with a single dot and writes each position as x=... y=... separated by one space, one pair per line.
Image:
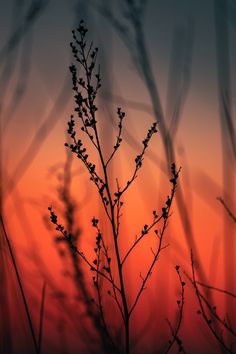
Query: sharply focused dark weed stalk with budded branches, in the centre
x=85 y=89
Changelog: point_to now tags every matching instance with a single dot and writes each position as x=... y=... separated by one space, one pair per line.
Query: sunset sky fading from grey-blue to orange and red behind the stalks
x=188 y=51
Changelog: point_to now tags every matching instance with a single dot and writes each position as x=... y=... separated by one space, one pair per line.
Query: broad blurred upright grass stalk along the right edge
x=228 y=140
